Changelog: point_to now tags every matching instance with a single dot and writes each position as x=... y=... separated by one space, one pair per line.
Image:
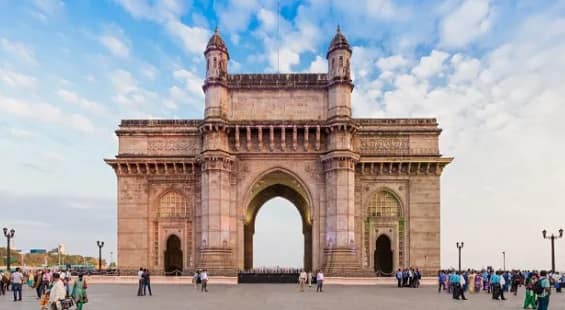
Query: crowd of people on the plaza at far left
x=52 y=288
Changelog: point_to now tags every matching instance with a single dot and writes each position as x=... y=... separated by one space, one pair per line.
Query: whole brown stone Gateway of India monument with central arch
x=367 y=190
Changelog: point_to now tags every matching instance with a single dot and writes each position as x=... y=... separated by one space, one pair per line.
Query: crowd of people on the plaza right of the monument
x=496 y=283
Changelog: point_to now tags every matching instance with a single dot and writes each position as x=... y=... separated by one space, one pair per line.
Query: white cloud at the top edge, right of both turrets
x=471 y=19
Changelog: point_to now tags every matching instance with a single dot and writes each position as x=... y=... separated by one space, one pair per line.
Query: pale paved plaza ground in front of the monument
x=278 y=296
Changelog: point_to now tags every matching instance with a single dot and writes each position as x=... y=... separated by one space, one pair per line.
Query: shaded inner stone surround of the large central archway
x=277 y=183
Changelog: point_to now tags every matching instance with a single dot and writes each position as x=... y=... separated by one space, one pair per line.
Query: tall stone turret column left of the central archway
x=217 y=233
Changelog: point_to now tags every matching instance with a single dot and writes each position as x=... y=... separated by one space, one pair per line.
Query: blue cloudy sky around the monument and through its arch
x=492 y=72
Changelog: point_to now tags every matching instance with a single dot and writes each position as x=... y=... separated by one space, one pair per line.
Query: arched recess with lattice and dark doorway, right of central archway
x=385 y=216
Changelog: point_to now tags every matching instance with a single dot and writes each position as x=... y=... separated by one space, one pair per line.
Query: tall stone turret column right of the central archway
x=340 y=251
